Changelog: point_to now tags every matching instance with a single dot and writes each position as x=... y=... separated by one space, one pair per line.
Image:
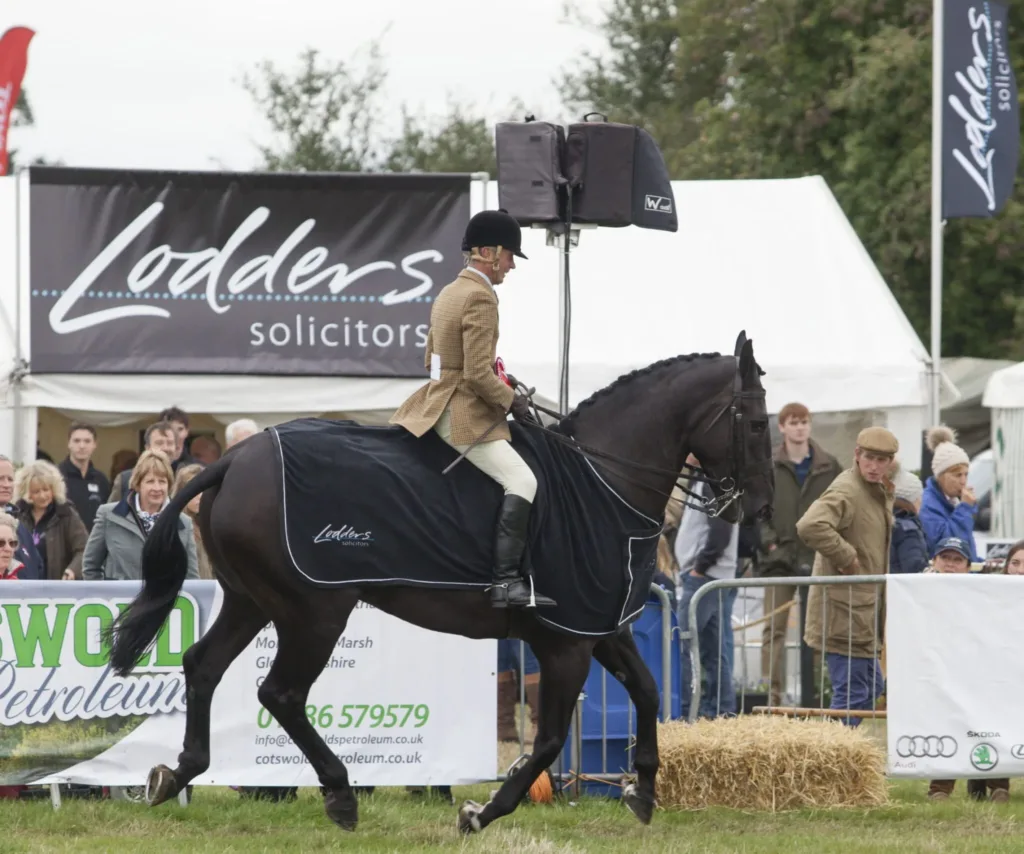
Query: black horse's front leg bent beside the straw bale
x=619 y=656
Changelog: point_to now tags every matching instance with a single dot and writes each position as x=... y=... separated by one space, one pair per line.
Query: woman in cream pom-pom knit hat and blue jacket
x=949 y=505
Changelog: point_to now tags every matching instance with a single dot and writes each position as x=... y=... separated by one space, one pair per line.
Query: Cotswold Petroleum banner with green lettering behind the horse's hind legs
x=400 y=705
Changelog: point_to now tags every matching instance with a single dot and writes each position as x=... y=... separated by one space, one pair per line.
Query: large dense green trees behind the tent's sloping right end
x=843 y=90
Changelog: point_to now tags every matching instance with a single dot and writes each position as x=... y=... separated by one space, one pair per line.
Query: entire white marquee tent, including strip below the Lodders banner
x=777 y=258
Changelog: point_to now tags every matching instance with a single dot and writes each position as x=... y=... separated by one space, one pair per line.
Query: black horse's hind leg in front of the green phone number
x=304 y=651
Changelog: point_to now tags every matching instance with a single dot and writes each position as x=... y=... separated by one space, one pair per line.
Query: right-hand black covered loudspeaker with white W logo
x=618 y=178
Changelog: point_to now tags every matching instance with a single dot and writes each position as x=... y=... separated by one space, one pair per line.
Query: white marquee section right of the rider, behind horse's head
x=776 y=258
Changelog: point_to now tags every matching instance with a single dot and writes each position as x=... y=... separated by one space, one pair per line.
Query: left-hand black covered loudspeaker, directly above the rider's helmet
x=531 y=178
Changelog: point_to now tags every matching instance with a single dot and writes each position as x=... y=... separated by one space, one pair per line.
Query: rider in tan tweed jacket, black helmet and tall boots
x=465 y=398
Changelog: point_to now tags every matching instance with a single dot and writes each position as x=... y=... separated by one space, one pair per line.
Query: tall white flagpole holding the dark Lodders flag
x=935 y=408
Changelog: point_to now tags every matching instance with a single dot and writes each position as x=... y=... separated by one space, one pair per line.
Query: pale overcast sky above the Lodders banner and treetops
x=123 y=83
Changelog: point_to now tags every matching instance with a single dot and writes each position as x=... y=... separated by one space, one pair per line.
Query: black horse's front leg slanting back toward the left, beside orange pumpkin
x=565 y=665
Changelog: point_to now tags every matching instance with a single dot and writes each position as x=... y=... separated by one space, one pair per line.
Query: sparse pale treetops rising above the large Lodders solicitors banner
x=325 y=118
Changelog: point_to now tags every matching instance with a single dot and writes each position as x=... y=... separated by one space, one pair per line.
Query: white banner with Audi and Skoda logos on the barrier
x=955 y=680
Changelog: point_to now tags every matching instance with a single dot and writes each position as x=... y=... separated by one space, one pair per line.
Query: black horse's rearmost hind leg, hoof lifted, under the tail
x=204 y=665
